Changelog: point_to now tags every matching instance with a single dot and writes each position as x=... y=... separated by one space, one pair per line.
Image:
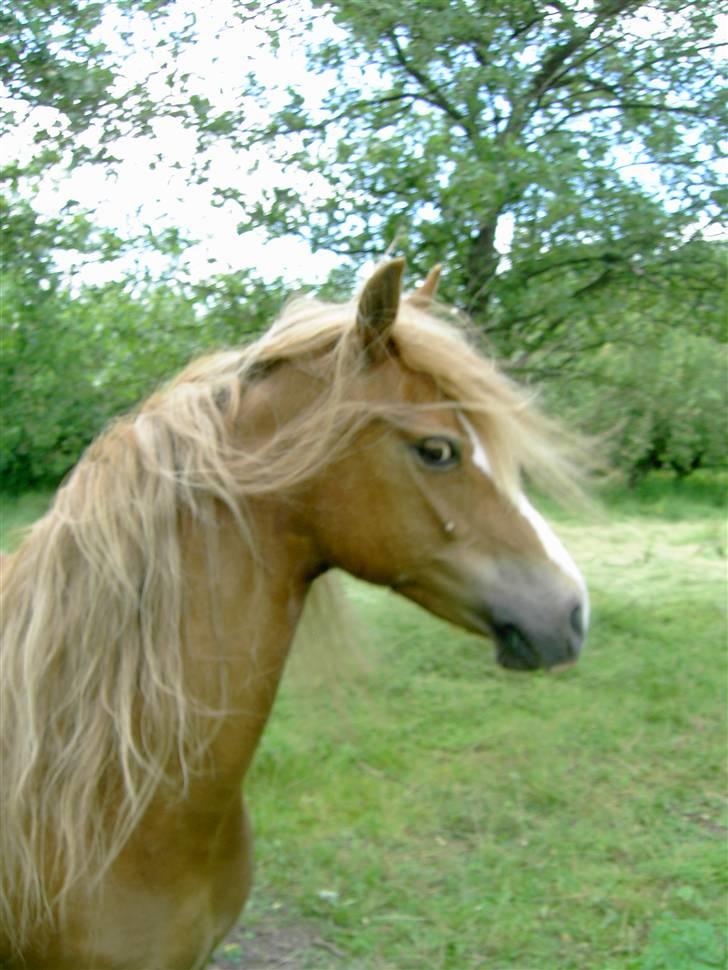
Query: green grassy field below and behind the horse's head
x=434 y=811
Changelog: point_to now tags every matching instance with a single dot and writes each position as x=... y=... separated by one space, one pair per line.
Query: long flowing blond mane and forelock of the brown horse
x=95 y=710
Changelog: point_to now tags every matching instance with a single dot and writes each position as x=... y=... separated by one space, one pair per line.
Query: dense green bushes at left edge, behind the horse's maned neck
x=70 y=364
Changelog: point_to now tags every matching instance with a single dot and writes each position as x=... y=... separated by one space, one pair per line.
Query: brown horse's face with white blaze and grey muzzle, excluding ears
x=413 y=506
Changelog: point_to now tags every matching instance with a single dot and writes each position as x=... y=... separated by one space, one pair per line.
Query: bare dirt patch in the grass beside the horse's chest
x=275 y=944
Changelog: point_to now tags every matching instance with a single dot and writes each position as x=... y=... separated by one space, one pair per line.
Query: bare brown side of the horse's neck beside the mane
x=240 y=617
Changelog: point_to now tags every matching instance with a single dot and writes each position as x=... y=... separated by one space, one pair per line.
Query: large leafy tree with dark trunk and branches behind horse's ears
x=450 y=123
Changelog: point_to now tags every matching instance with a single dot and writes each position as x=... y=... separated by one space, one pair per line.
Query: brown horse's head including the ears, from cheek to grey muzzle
x=415 y=503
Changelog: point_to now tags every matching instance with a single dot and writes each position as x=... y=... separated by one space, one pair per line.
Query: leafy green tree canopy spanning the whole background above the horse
x=561 y=157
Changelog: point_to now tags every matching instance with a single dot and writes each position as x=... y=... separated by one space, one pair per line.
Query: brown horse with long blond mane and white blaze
x=148 y=615
